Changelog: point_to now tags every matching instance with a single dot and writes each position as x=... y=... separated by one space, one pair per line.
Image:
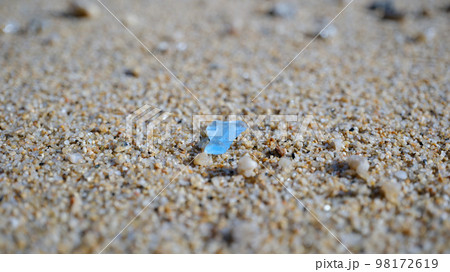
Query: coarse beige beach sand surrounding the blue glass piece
x=70 y=180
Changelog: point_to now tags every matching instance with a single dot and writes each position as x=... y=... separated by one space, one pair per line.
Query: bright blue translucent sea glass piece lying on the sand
x=222 y=134
